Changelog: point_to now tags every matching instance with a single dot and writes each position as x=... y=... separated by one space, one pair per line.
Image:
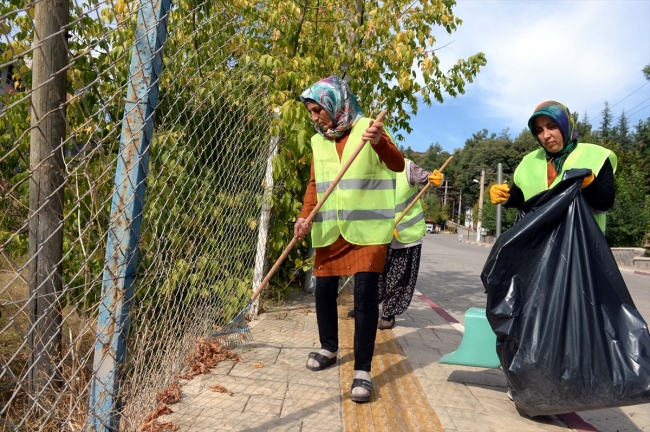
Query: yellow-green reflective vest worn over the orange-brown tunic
x=362 y=206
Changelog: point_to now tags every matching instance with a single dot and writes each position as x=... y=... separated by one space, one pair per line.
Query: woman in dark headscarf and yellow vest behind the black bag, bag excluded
x=553 y=127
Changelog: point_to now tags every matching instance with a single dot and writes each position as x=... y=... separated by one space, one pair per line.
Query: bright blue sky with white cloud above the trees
x=578 y=52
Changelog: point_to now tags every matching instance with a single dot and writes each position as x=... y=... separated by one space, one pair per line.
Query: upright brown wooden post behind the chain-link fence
x=46 y=196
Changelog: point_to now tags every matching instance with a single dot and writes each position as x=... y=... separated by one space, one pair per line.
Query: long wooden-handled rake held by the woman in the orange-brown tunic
x=237 y=330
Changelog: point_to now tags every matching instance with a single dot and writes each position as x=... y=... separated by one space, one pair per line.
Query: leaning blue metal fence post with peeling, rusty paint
x=126 y=214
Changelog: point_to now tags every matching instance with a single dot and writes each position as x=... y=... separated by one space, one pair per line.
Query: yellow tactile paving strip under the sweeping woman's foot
x=398 y=402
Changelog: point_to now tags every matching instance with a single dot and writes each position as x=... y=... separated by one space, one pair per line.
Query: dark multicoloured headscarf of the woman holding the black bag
x=562 y=116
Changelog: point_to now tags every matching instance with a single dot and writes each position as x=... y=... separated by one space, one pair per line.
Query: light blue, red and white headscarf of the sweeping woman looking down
x=334 y=95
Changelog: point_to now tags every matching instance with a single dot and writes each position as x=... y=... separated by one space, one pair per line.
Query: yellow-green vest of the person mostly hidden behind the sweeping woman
x=412 y=227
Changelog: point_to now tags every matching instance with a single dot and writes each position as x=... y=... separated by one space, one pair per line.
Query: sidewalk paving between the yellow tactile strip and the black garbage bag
x=464 y=398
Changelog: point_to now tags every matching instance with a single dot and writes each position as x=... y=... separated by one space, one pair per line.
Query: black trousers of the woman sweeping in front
x=366 y=314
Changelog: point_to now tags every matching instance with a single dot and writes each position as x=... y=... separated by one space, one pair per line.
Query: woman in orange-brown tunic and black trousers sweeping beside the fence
x=353 y=228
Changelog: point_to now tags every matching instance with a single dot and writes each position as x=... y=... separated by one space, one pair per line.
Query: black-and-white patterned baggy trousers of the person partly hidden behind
x=397 y=282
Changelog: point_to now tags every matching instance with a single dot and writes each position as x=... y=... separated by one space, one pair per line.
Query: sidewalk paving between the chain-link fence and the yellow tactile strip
x=272 y=389
